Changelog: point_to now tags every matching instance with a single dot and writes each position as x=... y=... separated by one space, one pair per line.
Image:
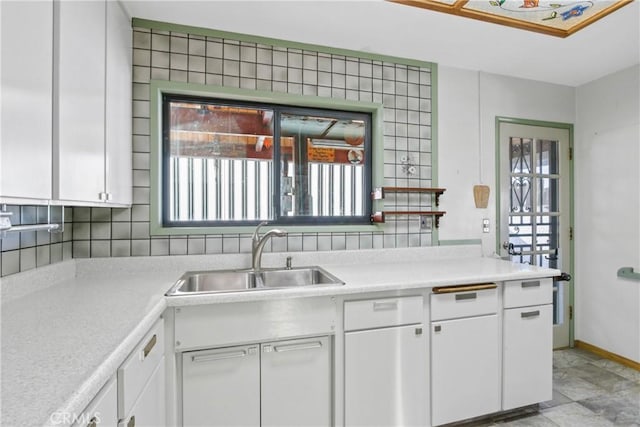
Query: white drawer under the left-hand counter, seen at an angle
x=138 y=367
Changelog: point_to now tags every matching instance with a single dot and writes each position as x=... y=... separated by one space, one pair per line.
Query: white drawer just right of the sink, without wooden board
x=375 y=313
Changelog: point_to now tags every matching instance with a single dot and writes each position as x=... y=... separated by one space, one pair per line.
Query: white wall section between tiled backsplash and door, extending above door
x=458 y=167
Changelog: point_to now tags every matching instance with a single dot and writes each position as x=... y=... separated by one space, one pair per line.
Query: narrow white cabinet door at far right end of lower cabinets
x=528 y=356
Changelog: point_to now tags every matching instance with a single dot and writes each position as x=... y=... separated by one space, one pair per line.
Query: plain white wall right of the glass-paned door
x=607 y=193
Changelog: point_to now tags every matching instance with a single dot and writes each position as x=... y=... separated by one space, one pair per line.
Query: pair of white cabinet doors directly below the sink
x=282 y=383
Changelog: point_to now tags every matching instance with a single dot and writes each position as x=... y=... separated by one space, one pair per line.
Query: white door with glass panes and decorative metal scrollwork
x=535 y=206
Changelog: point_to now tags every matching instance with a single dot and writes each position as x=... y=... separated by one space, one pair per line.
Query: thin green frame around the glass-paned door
x=571 y=267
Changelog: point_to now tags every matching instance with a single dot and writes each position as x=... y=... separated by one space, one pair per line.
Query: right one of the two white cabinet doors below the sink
x=296 y=383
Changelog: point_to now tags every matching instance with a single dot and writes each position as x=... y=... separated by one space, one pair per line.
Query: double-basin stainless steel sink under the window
x=214 y=281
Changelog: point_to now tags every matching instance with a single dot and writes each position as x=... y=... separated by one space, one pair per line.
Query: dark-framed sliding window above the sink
x=237 y=163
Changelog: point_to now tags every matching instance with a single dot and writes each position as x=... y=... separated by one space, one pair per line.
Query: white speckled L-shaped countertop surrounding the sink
x=63 y=337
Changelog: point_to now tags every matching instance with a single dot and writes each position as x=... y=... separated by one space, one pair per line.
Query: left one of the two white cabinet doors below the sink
x=221 y=387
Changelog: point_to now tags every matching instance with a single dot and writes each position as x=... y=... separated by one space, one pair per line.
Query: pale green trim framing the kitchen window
x=158 y=87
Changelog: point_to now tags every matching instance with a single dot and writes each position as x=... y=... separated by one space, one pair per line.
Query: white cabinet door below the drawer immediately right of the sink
x=385 y=377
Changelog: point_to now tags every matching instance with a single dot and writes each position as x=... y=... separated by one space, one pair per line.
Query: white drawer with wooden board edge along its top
x=467 y=301
